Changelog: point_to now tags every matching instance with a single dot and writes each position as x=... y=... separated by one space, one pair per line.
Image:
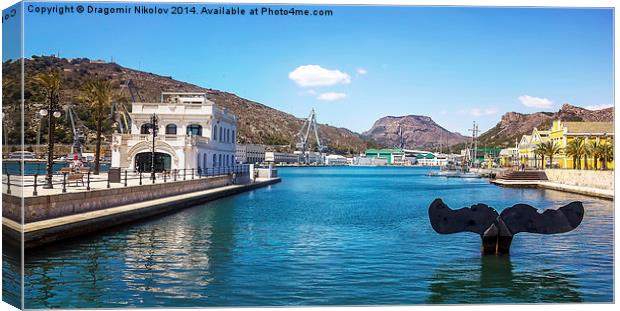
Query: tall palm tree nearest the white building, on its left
x=99 y=95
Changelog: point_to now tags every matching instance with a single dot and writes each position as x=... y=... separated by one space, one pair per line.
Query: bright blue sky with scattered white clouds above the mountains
x=454 y=64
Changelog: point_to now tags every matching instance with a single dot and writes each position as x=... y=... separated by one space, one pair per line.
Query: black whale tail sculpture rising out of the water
x=496 y=230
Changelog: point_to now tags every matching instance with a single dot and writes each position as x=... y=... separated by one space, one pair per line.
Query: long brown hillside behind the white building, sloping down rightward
x=257 y=123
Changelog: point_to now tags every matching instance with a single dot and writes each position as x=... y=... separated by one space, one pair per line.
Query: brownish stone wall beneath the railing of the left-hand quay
x=52 y=206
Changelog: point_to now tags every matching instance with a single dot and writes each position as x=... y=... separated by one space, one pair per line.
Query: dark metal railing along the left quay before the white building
x=64 y=179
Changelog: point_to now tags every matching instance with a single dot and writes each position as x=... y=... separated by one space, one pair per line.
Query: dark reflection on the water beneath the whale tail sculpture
x=493 y=279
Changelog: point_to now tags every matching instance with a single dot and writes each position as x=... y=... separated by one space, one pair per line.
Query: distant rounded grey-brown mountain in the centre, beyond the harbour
x=417 y=132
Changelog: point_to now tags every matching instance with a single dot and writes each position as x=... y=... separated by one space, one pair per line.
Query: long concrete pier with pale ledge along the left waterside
x=45 y=227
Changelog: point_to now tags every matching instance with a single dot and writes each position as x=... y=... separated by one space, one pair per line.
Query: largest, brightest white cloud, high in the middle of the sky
x=315 y=75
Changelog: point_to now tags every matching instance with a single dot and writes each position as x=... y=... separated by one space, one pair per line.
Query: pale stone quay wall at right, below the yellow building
x=584 y=178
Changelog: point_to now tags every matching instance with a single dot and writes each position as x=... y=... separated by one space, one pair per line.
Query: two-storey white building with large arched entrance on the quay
x=192 y=132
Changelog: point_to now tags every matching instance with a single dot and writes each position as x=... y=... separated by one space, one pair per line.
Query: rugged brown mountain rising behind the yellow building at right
x=513 y=124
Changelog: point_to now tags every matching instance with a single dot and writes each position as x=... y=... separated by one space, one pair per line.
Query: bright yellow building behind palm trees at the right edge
x=563 y=132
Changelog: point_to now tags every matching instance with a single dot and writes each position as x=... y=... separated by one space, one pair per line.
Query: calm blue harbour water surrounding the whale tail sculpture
x=327 y=236
